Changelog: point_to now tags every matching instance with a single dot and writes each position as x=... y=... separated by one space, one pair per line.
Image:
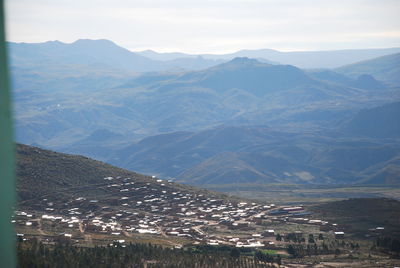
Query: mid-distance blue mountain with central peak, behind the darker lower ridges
x=58 y=111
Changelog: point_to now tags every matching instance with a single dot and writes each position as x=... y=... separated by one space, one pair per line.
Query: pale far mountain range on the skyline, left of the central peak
x=103 y=55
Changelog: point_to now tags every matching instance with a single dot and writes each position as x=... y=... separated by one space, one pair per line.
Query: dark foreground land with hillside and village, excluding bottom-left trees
x=123 y=208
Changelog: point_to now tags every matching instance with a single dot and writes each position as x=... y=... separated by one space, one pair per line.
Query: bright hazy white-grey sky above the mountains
x=217 y=26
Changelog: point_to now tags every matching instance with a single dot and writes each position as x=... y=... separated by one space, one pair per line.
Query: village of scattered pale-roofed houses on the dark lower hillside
x=133 y=207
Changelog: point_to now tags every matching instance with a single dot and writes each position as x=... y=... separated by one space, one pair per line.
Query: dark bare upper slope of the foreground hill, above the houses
x=44 y=173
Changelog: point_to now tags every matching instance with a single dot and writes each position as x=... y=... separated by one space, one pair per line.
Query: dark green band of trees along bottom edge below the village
x=36 y=254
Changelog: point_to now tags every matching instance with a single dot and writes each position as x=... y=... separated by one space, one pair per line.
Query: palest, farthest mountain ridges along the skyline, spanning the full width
x=104 y=55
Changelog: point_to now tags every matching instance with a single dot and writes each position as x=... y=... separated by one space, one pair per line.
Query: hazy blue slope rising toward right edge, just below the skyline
x=385 y=68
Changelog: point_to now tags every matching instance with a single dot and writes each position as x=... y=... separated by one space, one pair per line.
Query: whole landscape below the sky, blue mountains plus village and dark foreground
x=253 y=159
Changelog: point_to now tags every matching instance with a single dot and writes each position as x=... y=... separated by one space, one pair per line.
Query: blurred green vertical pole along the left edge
x=7 y=173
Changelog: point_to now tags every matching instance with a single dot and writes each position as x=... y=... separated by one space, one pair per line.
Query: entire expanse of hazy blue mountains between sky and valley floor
x=239 y=120
